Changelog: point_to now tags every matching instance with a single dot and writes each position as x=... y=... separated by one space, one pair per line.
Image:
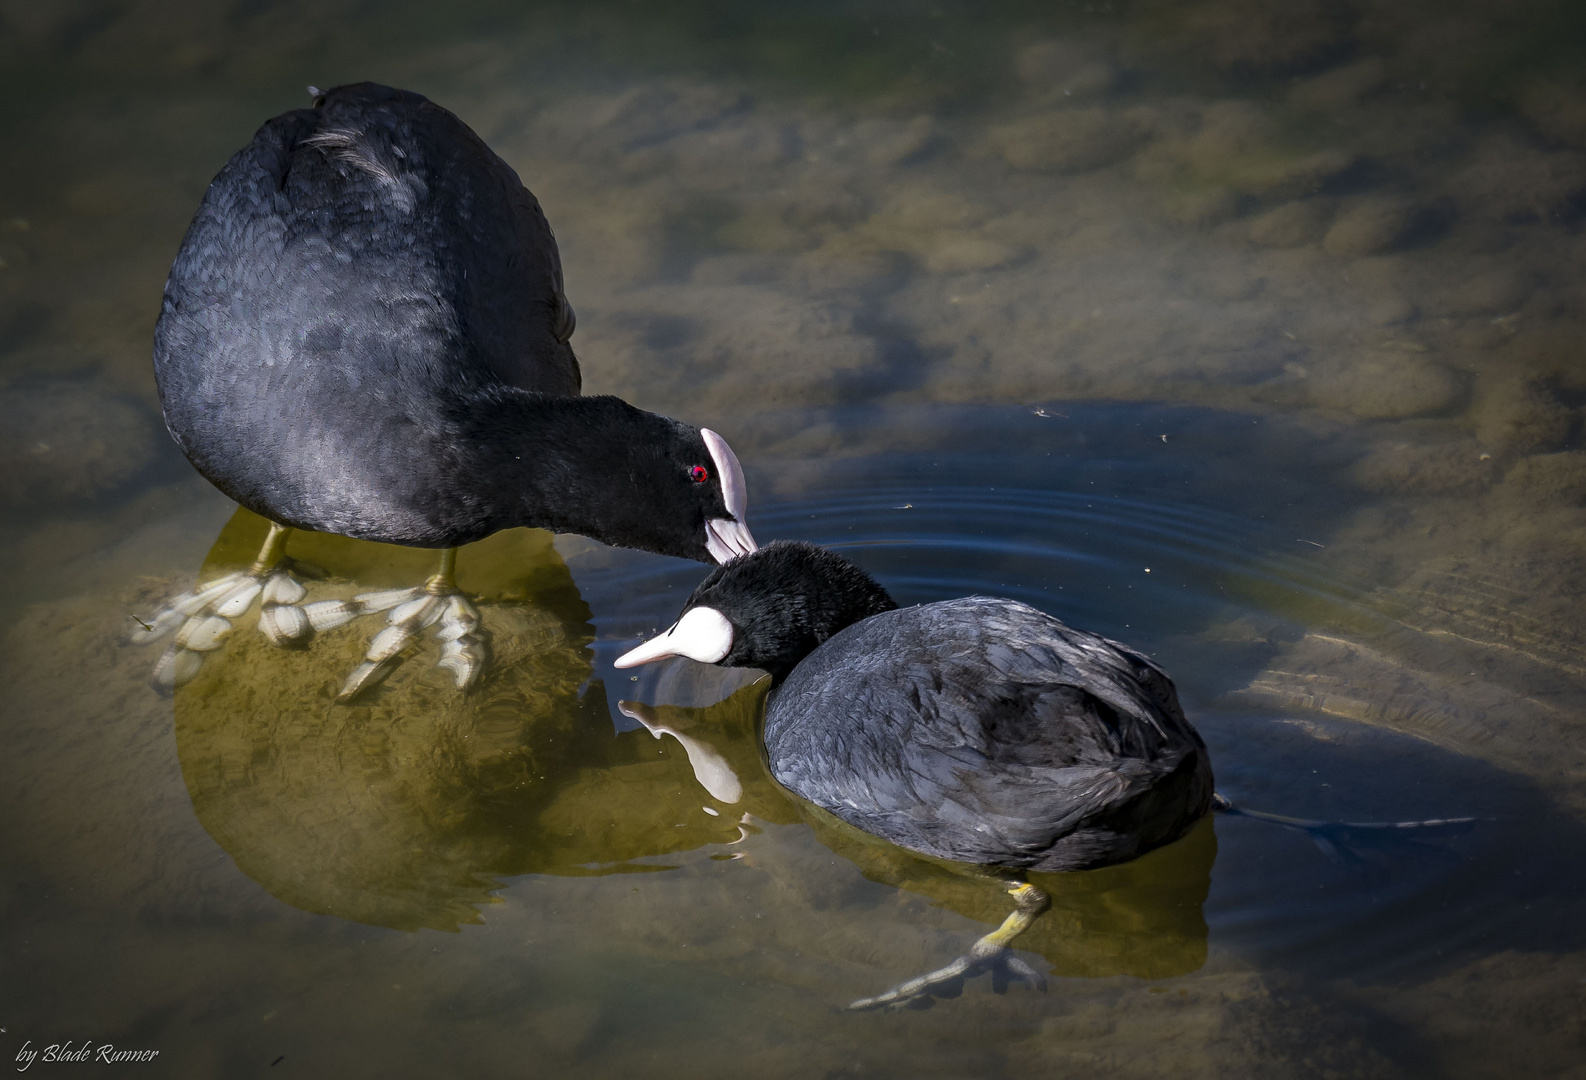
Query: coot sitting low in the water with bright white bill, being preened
x=973 y=730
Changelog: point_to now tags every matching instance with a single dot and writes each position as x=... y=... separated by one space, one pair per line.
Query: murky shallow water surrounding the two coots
x=1281 y=302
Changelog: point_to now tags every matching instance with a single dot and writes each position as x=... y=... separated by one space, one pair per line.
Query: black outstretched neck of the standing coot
x=591 y=465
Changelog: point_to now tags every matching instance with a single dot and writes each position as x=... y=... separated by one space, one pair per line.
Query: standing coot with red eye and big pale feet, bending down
x=366 y=334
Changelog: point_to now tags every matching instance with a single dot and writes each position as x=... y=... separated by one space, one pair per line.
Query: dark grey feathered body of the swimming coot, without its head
x=1002 y=735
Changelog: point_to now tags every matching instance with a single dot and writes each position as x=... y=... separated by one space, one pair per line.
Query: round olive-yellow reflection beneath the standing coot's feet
x=404 y=810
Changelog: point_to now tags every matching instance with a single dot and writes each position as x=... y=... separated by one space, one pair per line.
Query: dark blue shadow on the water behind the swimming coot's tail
x=1373 y=903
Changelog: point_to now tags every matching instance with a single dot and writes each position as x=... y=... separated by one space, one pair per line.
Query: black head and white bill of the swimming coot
x=768 y=610
